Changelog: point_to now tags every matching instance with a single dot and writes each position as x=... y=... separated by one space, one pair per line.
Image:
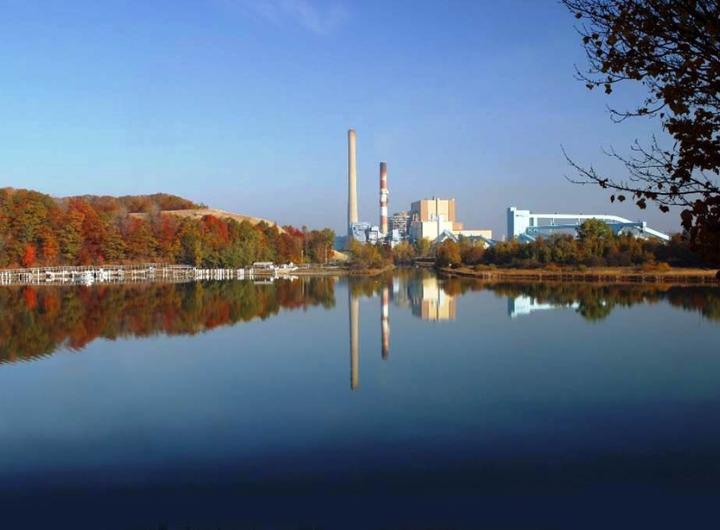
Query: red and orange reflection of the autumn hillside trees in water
x=36 y=321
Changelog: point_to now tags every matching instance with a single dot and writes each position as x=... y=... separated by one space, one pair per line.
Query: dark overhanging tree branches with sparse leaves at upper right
x=673 y=49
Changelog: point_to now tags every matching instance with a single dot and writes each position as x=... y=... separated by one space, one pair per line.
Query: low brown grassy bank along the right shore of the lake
x=600 y=274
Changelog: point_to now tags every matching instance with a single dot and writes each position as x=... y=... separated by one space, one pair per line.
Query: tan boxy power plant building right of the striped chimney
x=431 y=218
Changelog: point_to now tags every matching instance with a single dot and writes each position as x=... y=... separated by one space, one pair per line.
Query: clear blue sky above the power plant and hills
x=244 y=105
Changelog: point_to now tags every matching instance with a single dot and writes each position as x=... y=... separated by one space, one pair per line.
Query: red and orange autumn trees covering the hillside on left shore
x=39 y=230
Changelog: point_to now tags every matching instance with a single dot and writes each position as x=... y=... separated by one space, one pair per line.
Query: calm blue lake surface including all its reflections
x=402 y=402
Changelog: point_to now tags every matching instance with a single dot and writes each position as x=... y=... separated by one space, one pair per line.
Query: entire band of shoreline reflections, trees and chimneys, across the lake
x=36 y=321
